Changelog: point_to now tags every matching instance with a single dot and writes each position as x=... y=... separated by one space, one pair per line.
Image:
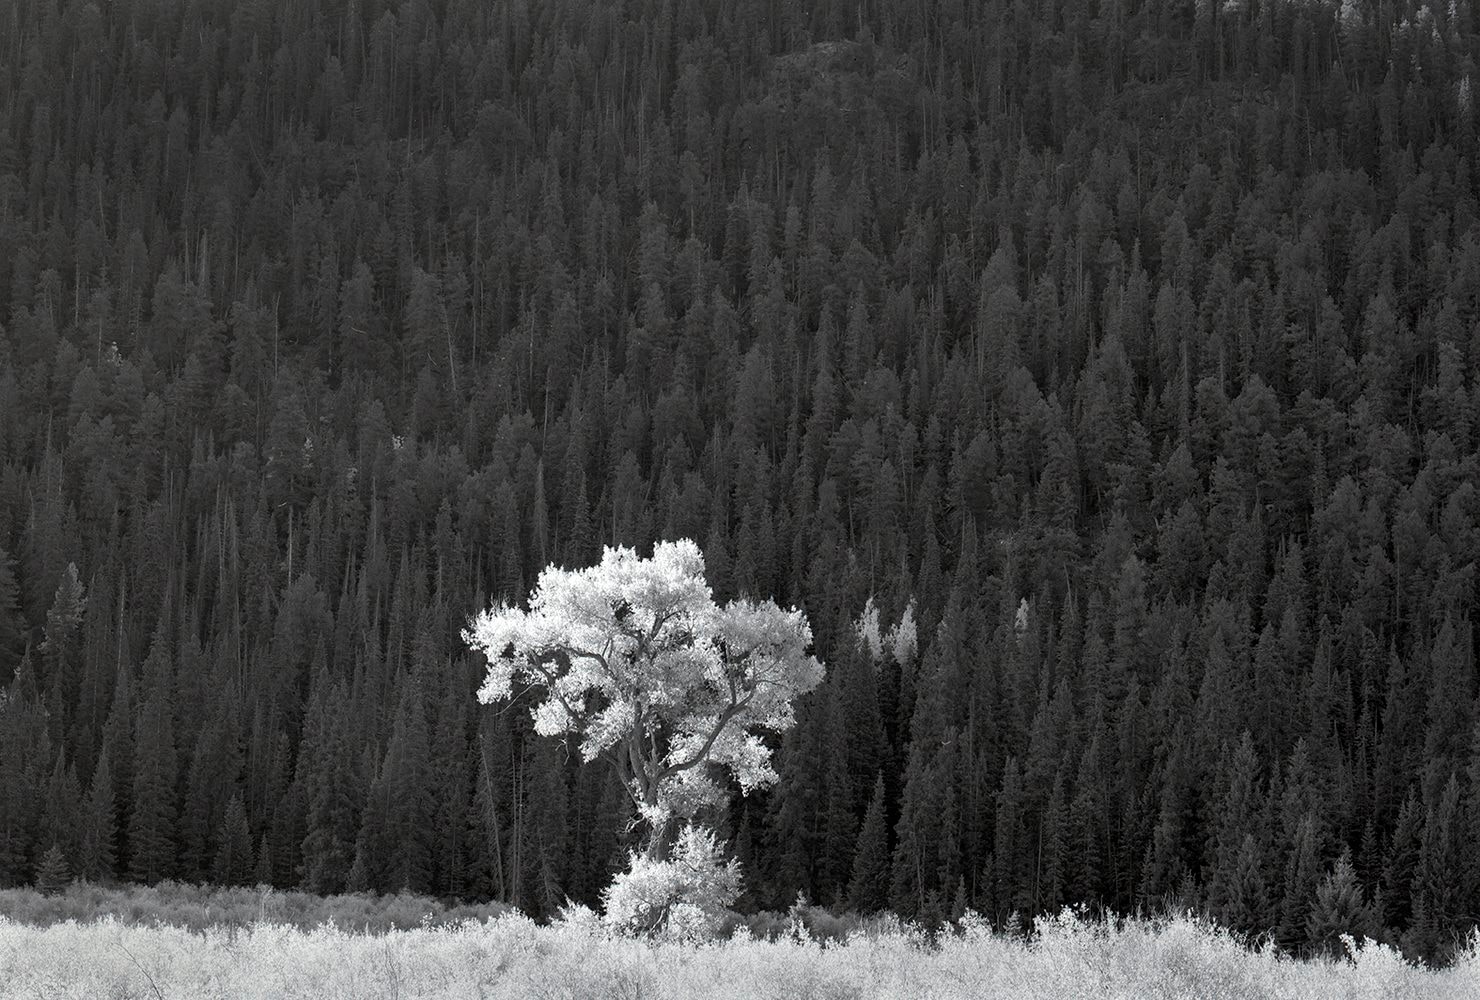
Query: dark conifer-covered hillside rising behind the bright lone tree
x=1128 y=350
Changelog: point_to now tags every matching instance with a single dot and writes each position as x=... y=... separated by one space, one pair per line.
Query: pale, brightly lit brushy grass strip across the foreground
x=510 y=956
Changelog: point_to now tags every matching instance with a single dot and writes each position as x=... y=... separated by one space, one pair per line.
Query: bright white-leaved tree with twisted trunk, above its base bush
x=637 y=659
